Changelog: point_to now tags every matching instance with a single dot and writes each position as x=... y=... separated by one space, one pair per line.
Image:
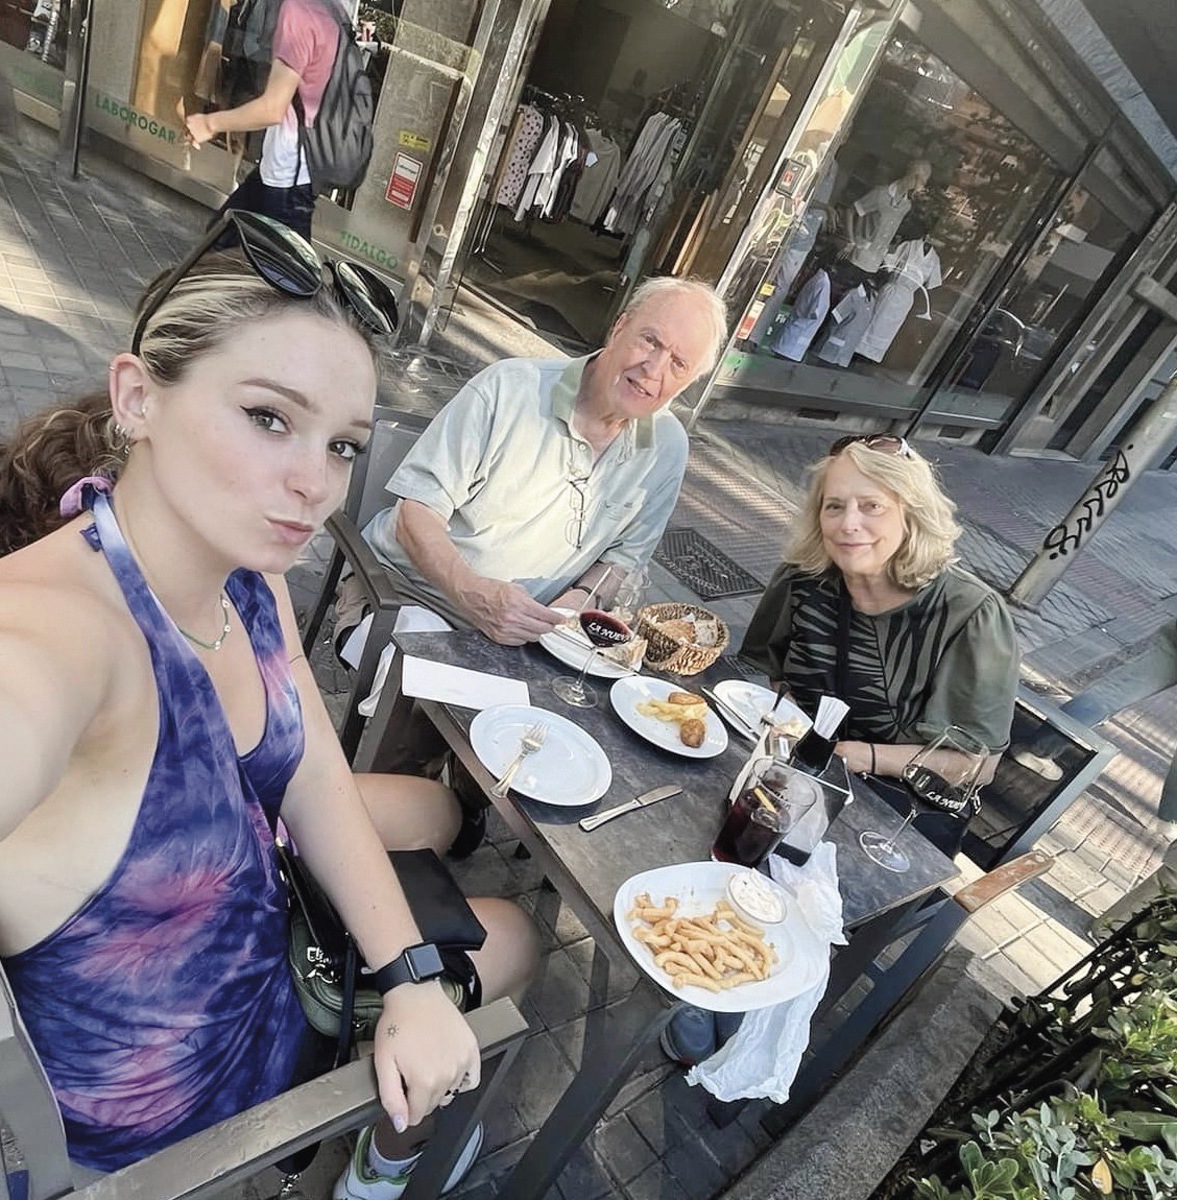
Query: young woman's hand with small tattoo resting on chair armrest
x=425 y=1053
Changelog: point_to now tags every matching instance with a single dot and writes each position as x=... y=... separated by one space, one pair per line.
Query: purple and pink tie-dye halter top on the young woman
x=165 y=1004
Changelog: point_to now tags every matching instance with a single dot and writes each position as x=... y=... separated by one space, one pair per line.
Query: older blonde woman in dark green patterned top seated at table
x=870 y=607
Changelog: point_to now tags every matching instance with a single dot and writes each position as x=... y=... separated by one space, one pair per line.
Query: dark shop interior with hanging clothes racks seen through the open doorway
x=611 y=100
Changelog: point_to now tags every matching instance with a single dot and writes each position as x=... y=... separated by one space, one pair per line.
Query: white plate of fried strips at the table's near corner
x=682 y=931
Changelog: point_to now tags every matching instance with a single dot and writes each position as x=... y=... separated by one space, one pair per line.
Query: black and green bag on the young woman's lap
x=328 y=973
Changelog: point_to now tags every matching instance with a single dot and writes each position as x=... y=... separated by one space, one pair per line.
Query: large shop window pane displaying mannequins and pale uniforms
x=911 y=215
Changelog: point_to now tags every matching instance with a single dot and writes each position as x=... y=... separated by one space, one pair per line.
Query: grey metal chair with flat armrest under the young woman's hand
x=34 y=1163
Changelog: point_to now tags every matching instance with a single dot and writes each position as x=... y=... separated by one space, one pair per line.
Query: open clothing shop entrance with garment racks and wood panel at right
x=615 y=163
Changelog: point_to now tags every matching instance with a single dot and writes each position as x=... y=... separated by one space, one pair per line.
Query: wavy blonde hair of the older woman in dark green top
x=930 y=526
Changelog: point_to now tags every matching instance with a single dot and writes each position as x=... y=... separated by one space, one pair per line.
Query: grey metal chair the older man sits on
x=393 y=436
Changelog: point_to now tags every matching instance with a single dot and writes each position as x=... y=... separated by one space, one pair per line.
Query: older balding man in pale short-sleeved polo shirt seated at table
x=539 y=475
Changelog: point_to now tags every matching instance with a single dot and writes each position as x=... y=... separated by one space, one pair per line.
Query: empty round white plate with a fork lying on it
x=569 y=770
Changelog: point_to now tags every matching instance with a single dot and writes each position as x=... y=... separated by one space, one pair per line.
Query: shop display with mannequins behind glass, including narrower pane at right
x=929 y=193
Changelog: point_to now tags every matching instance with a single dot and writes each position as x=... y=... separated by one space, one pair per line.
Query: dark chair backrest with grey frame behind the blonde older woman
x=1022 y=805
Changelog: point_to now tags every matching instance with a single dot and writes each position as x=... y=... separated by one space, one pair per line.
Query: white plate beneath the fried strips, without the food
x=699 y=886
